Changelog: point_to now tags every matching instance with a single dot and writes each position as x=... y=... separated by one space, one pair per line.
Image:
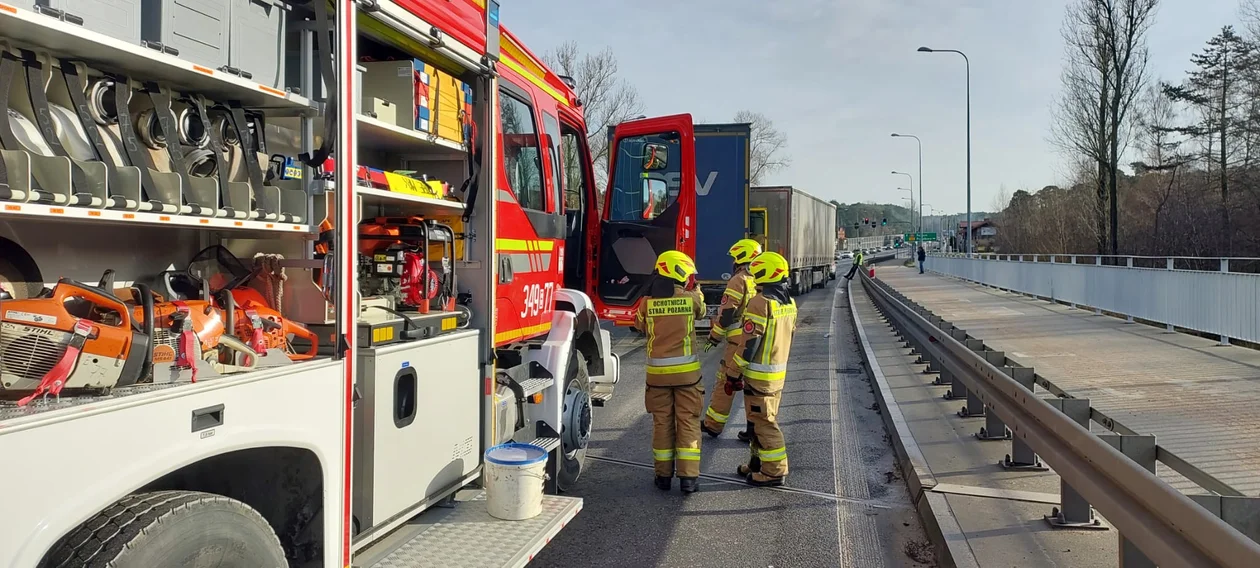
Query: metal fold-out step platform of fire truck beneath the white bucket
x=467 y=536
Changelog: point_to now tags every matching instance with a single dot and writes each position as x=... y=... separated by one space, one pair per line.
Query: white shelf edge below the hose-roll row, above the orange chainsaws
x=41 y=211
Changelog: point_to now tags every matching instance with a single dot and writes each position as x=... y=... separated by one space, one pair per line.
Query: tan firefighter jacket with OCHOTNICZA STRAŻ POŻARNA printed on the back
x=670 y=322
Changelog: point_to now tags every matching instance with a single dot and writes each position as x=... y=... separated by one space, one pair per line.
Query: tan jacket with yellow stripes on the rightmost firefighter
x=769 y=326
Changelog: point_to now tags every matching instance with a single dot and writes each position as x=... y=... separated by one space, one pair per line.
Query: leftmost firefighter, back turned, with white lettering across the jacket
x=675 y=395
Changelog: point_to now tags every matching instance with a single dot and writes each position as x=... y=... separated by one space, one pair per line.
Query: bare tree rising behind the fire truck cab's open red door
x=607 y=99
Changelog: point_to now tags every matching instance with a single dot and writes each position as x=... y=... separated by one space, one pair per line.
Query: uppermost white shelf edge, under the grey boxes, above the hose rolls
x=27 y=28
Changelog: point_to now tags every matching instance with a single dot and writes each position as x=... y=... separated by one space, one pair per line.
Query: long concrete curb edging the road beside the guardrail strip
x=934 y=511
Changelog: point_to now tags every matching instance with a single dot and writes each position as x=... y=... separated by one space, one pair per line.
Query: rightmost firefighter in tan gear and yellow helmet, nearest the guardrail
x=769 y=324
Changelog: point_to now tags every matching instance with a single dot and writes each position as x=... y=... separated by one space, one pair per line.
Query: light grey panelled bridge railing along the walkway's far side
x=1206 y=295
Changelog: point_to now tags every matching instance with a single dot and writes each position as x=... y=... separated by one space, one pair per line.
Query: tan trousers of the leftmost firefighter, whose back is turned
x=676 y=429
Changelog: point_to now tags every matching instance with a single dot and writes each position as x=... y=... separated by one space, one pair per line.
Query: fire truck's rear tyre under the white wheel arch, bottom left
x=171 y=530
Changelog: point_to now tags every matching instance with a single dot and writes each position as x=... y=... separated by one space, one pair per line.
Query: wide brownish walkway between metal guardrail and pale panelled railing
x=1200 y=400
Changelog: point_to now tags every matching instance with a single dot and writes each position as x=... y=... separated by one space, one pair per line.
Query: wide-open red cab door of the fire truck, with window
x=643 y=215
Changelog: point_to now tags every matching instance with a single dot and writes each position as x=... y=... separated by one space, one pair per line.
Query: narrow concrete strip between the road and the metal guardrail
x=983 y=516
